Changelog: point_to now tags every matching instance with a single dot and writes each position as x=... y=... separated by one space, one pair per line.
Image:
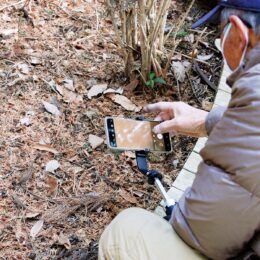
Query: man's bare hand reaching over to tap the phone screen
x=179 y=118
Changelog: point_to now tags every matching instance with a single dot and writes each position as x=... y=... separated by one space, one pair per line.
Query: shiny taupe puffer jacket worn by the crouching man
x=219 y=214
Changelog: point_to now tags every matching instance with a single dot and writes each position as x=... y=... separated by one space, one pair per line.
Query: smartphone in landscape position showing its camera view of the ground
x=135 y=135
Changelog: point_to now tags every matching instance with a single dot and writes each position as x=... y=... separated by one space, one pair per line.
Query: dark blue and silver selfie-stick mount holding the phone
x=154 y=178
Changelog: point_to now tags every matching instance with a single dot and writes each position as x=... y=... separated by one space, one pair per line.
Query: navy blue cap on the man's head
x=214 y=15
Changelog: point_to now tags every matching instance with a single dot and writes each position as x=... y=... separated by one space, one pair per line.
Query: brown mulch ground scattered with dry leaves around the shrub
x=59 y=183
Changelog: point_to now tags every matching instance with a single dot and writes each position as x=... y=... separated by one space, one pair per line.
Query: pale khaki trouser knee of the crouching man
x=141 y=235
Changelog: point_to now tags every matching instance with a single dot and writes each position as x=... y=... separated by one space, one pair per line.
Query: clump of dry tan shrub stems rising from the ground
x=140 y=29
